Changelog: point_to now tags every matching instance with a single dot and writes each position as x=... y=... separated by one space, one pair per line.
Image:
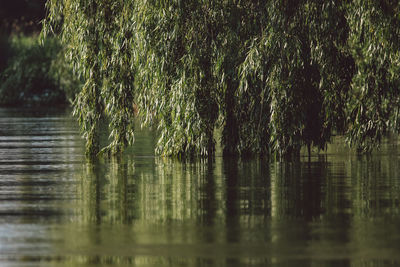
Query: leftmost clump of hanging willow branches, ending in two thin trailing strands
x=98 y=39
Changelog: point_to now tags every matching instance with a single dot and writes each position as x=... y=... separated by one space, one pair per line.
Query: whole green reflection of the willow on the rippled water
x=146 y=211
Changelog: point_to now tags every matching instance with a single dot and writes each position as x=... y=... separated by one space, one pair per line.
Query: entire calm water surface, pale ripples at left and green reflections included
x=57 y=209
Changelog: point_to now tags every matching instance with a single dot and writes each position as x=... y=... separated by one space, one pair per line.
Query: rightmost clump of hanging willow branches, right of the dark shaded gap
x=374 y=43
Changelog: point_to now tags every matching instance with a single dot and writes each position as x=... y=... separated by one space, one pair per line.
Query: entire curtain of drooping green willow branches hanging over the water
x=273 y=75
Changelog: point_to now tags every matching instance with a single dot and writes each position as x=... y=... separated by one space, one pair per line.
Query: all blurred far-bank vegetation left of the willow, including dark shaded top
x=31 y=73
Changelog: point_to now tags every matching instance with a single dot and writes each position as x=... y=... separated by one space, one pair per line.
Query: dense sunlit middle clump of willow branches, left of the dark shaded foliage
x=175 y=45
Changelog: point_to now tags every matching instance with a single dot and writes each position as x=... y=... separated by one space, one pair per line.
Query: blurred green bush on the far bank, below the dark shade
x=34 y=74
